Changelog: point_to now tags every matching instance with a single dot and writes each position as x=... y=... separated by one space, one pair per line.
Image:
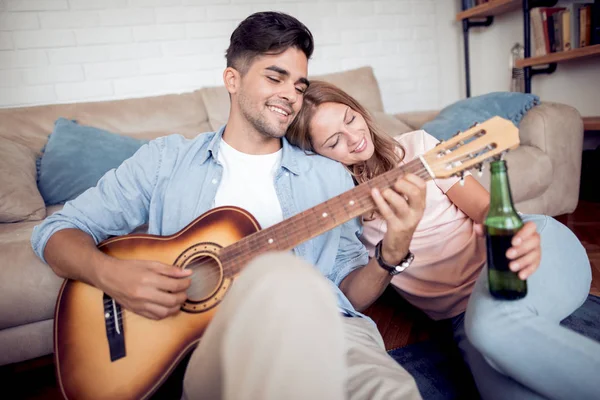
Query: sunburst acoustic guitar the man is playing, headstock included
x=103 y=351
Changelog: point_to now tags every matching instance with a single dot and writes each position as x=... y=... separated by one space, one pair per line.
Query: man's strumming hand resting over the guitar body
x=148 y=288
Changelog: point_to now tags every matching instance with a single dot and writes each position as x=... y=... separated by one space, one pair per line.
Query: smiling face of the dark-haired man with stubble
x=269 y=94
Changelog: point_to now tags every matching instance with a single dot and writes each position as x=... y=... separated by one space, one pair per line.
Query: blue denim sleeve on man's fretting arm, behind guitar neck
x=351 y=253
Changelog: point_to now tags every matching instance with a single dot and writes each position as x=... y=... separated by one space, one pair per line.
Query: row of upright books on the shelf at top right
x=565 y=27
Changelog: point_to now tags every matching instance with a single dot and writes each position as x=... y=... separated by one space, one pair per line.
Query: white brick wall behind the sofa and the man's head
x=54 y=51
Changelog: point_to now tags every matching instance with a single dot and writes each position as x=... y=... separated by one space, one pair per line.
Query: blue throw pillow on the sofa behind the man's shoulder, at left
x=76 y=157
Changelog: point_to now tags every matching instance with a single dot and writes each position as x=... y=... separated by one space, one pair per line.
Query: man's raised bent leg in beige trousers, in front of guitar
x=277 y=335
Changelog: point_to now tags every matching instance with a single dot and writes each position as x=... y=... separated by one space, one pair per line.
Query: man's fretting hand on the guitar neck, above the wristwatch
x=402 y=206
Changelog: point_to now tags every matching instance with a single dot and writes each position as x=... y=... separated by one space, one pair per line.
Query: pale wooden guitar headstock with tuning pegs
x=469 y=149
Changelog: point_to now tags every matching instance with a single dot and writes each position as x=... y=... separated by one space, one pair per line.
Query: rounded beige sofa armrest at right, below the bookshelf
x=557 y=130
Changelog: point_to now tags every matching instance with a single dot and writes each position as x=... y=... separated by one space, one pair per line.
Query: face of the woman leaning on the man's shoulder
x=340 y=133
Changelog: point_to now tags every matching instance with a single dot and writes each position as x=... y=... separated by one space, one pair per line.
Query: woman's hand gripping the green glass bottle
x=526 y=250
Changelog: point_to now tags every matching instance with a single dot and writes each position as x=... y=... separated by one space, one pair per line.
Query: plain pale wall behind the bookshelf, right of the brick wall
x=576 y=83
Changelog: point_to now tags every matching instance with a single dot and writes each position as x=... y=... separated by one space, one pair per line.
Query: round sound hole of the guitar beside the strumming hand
x=206 y=278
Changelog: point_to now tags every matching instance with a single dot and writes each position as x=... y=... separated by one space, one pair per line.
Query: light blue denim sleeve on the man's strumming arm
x=117 y=205
